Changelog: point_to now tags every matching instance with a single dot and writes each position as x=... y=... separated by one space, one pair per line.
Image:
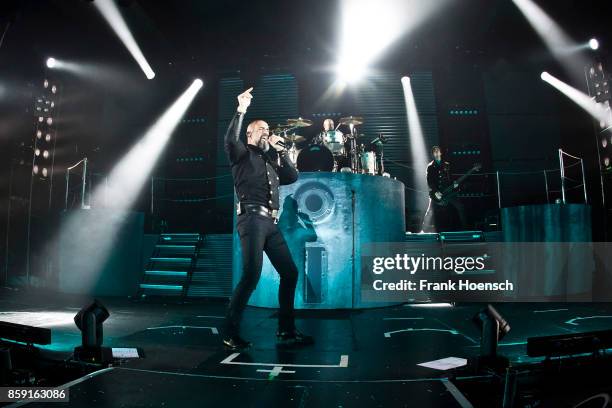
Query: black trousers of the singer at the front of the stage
x=259 y=233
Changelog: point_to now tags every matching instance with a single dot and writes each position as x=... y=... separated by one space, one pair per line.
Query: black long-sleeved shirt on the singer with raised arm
x=257 y=174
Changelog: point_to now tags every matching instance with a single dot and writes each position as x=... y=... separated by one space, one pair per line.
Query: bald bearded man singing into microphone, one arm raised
x=258 y=170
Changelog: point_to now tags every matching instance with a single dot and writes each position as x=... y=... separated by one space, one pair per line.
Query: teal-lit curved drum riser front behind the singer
x=325 y=218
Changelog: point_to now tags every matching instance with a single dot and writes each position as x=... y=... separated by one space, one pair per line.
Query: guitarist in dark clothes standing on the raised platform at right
x=438 y=180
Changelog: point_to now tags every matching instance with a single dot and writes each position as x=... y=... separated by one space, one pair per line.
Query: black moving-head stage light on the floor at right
x=493 y=328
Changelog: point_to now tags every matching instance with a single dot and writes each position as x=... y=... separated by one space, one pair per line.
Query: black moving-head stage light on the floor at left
x=89 y=320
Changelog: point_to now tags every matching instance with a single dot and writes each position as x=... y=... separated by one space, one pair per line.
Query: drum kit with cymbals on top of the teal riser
x=333 y=150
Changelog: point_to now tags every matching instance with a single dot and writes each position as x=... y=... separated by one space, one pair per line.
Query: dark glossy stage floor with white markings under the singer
x=361 y=358
